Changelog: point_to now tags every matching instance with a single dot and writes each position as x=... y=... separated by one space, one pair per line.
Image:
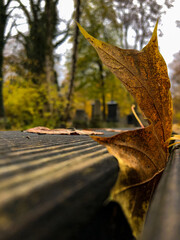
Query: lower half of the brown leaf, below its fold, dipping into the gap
x=142 y=160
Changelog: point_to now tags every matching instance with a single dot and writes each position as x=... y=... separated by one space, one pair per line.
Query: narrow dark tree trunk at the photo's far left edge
x=4 y=15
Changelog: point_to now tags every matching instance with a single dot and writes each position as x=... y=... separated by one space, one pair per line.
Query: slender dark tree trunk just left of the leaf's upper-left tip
x=74 y=60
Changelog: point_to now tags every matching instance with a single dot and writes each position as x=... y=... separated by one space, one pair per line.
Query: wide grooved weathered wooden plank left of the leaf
x=51 y=185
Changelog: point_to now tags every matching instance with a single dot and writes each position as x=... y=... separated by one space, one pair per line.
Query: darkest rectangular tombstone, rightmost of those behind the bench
x=113 y=112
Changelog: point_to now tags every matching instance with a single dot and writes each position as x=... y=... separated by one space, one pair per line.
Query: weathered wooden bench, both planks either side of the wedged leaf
x=55 y=187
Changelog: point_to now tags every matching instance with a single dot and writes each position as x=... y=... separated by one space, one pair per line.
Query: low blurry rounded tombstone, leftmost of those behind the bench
x=81 y=119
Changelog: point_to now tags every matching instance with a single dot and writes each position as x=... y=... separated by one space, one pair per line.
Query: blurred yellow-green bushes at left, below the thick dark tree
x=28 y=105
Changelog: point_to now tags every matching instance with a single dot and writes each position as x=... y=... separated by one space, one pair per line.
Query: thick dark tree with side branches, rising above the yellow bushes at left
x=41 y=41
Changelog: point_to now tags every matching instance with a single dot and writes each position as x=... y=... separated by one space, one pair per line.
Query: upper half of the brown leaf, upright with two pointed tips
x=144 y=74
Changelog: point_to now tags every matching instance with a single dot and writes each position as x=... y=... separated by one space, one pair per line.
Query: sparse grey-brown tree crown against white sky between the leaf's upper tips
x=137 y=18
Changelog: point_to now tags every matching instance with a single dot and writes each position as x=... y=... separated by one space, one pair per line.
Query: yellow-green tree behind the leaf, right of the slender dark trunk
x=93 y=80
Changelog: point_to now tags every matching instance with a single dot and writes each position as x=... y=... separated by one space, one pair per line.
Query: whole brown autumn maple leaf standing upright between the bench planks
x=142 y=154
